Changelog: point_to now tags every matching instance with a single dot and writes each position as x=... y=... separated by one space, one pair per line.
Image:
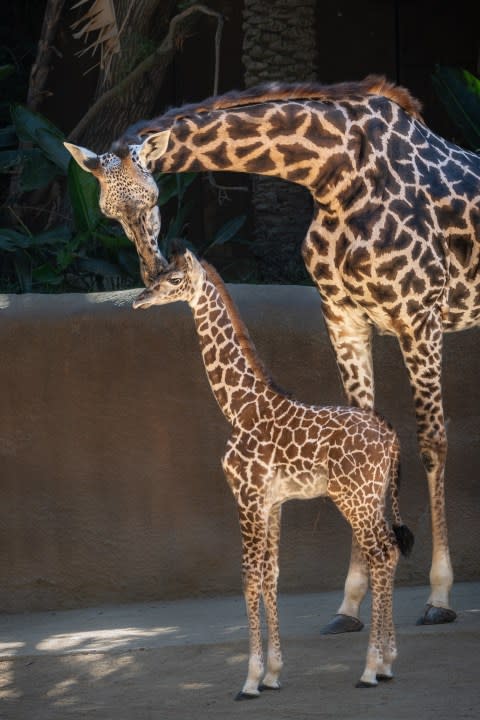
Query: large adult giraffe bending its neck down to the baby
x=394 y=240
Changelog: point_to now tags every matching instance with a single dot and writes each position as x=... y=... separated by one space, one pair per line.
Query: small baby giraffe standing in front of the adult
x=282 y=449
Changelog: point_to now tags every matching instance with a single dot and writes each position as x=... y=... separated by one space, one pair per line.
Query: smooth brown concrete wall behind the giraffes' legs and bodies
x=110 y=445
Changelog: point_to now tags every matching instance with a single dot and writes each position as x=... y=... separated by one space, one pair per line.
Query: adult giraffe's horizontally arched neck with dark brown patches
x=258 y=139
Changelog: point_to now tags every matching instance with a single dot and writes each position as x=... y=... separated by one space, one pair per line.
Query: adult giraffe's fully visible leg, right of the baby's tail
x=422 y=352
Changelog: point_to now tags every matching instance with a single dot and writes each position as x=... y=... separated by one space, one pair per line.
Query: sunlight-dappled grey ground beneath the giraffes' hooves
x=186 y=660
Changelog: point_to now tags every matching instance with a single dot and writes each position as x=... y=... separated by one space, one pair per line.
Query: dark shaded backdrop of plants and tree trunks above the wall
x=250 y=228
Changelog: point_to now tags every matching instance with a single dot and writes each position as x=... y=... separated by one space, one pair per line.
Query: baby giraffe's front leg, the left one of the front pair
x=254 y=534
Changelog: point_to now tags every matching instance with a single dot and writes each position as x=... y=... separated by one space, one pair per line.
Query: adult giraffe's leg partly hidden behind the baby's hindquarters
x=351 y=339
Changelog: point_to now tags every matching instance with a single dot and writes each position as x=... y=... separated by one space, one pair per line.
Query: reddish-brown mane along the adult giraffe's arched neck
x=271 y=92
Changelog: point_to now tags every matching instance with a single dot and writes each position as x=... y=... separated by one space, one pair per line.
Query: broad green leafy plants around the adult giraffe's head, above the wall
x=85 y=251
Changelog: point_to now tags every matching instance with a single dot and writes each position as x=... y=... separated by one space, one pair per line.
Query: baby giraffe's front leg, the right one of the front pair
x=270 y=580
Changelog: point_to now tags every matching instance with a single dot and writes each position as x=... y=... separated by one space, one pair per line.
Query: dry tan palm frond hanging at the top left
x=99 y=18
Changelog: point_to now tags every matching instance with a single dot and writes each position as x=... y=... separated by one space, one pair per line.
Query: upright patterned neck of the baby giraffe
x=236 y=374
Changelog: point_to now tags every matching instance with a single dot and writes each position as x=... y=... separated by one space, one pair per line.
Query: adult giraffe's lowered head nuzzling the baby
x=129 y=193
